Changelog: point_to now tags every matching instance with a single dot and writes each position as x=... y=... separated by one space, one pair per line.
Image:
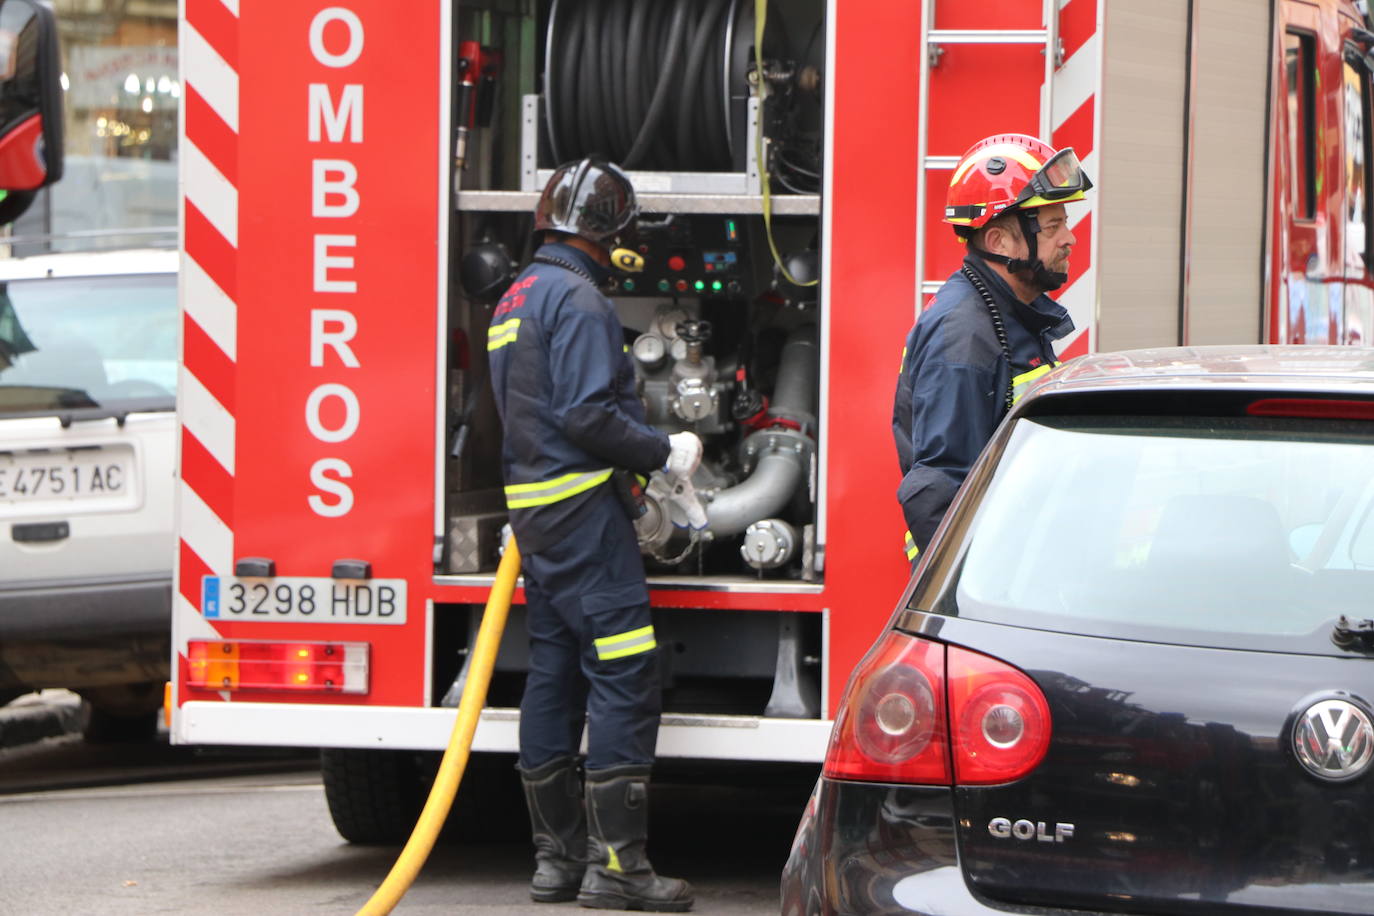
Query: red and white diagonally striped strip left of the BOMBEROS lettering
x=210 y=54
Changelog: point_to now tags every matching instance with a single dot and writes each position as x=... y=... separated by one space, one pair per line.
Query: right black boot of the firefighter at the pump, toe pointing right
x=619 y=875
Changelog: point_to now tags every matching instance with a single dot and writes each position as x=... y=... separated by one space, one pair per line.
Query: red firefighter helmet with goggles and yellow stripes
x=1011 y=171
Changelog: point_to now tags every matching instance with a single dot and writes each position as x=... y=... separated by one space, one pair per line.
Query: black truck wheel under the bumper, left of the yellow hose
x=374 y=796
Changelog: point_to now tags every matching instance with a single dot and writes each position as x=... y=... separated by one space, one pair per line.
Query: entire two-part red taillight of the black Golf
x=894 y=727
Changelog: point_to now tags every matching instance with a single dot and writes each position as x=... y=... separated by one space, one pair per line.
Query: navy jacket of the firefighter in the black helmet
x=565 y=391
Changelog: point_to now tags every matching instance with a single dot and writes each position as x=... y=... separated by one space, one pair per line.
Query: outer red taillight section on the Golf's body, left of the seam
x=892 y=723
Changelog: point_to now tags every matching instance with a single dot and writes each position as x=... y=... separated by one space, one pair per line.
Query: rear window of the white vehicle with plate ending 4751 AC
x=74 y=343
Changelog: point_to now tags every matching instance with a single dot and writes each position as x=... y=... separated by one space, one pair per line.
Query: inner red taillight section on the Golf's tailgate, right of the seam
x=1000 y=718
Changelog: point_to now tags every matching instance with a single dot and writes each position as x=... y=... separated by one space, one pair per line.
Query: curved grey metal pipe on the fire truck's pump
x=784 y=454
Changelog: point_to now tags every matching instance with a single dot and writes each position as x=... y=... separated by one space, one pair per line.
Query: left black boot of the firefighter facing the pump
x=554 y=796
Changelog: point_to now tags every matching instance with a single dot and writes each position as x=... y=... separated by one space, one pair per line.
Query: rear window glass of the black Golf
x=1235 y=532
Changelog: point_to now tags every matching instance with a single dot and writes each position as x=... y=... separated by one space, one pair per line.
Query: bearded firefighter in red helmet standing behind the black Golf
x=990 y=330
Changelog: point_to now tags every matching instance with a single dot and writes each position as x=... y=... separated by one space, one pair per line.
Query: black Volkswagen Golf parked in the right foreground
x=1134 y=672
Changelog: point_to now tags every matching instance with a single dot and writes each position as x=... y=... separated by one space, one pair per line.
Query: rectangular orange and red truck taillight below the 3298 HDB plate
x=296 y=667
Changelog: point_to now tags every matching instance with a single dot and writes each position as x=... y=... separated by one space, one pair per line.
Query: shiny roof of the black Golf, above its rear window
x=1289 y=369
